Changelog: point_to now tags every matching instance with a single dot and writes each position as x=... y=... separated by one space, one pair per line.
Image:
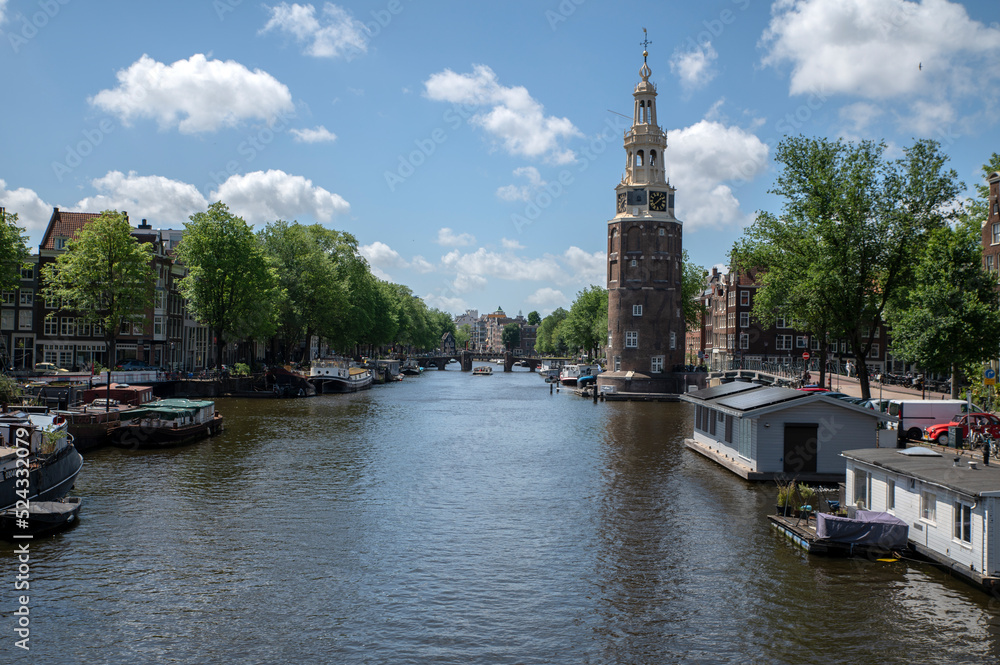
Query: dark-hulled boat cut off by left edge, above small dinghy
x=52 y=461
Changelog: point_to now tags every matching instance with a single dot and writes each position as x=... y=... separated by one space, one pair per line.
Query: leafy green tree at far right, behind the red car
x=950 y=315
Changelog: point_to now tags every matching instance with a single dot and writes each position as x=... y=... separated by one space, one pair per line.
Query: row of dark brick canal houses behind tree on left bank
x=34 y=331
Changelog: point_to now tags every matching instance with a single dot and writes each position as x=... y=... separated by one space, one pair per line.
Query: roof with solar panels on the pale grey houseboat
x=741 y=398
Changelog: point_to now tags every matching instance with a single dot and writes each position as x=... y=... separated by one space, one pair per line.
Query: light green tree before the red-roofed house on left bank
x=105 y=277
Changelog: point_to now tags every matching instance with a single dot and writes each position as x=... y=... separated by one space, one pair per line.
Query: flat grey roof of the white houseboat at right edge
x=938 y=469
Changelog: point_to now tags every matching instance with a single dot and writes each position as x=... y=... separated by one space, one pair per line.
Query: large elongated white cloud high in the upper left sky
x=195 y=95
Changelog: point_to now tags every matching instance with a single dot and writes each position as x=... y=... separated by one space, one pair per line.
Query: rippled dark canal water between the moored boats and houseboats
x=453 y=518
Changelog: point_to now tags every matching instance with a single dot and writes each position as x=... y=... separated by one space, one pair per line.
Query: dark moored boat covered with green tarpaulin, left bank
x=167 y=423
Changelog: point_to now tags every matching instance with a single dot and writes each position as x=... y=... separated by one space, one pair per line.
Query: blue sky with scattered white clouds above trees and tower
x=471 y=148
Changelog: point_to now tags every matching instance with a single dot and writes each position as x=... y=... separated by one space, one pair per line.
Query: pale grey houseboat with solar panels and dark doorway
x=766 y=432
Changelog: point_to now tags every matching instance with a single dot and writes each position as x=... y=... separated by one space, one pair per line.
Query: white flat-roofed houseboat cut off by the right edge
x=951 y=503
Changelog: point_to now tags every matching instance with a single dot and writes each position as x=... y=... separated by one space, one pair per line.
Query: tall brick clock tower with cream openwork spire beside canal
x=645 y=318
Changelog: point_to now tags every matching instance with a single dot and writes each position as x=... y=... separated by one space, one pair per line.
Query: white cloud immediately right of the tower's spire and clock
x=703 y=159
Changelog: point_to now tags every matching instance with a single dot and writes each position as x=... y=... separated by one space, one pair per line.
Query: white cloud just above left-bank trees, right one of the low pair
x=264 y=196
